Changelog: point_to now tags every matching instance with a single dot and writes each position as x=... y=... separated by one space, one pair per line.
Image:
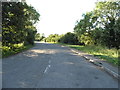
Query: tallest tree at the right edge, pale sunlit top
x=109 y=17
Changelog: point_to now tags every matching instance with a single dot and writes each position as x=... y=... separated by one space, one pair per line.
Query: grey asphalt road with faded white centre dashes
x=52 y=66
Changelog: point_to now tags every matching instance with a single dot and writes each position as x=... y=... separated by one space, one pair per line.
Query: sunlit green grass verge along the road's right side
x=109 y=55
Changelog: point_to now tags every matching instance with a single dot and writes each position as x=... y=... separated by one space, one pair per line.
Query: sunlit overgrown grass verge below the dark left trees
x=7 y=51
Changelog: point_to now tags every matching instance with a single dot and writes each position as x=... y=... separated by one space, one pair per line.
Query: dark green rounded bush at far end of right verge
x=69 y=38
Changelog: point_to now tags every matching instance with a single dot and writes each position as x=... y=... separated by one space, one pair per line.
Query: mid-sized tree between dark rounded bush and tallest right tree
x=84 y=28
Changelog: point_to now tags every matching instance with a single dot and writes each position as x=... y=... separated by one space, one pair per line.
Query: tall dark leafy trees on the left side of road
x=18 y=25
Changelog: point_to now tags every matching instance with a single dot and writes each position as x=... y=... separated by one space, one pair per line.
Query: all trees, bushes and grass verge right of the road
x=97 y=33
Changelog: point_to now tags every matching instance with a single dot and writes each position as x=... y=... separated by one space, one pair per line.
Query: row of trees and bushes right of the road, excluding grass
x=98 y=27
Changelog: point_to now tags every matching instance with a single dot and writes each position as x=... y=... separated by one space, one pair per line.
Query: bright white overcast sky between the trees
x=60 y=16
